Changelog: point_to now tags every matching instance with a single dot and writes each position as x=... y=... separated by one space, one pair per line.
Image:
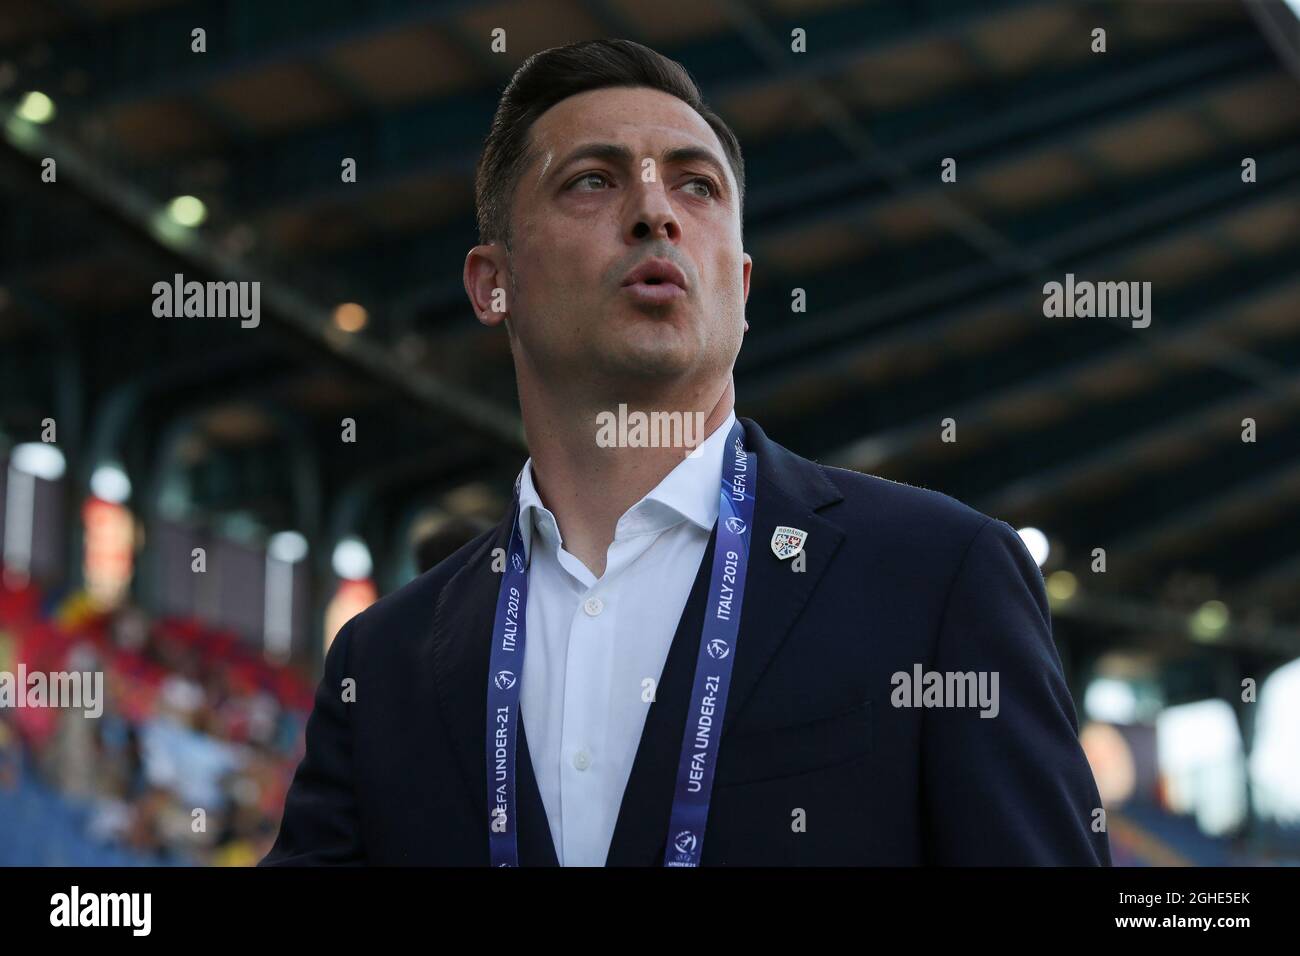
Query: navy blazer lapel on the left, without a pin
x=462 y=646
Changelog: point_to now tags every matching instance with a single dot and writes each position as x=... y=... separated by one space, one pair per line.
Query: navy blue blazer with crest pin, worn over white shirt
x=820 y=762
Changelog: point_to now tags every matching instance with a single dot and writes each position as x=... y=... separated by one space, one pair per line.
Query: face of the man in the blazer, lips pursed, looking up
x=586 y=215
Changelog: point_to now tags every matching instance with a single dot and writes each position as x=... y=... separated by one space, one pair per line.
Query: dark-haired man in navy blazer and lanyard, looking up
x=552 y=693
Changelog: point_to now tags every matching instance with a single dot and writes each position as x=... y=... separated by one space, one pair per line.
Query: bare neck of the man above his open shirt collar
x=588 y=487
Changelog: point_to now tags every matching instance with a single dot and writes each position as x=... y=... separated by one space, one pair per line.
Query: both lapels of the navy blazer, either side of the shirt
x=791 y=491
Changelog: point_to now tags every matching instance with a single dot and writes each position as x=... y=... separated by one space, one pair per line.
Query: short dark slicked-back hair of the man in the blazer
x=556 y=75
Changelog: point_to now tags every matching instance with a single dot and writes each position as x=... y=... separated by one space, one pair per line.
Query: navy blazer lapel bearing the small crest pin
x=791 y=491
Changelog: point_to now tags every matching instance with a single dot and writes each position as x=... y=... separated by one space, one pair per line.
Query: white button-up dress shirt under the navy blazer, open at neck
x=593 y=644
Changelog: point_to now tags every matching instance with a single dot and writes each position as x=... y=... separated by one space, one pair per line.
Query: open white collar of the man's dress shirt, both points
x=690 y=492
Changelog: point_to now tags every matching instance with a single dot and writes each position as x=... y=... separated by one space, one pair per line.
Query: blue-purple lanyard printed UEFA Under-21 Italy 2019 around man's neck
x=708 y=698
